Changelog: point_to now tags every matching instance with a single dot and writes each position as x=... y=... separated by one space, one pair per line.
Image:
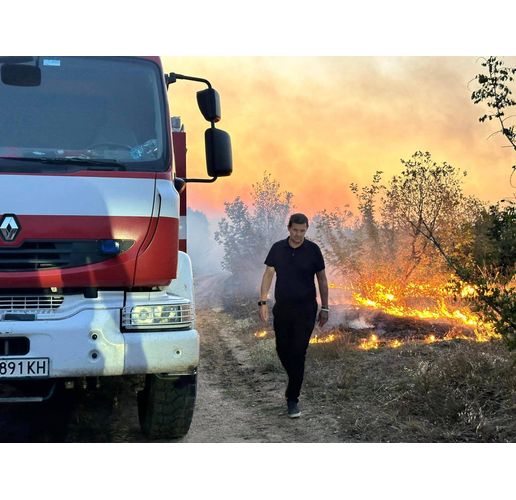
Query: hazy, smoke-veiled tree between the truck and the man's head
x=246 y=234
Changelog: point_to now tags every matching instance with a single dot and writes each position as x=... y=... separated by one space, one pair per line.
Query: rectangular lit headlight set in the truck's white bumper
x=152 y=317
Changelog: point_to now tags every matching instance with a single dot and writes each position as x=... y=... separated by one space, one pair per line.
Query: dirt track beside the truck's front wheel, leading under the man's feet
x=236 y=403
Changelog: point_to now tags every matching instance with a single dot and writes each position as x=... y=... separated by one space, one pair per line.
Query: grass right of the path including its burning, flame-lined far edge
x=392 y=378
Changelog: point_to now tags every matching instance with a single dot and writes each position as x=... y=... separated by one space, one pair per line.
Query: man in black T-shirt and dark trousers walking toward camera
x=295 y=261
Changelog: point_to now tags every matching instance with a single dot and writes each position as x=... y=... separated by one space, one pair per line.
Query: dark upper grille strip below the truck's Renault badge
x=58 y=254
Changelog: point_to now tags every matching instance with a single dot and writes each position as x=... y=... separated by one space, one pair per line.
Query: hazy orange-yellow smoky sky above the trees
x=319 y=123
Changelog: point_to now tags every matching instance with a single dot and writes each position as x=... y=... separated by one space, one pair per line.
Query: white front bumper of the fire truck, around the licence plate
x=85 y=339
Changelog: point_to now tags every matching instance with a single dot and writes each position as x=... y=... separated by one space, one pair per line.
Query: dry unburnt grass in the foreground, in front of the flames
x=454 y=391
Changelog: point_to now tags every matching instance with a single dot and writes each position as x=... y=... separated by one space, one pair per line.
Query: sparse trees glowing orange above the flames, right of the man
x=385 y=243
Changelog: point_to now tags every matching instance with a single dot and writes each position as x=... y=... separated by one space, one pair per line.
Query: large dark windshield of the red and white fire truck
x=85 y=112
